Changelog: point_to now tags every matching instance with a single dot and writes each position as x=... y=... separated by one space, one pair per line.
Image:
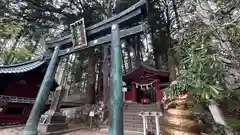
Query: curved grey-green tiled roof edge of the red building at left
x=22 y=67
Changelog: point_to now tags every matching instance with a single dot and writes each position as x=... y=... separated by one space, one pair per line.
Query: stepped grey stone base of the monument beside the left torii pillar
x=52 y=123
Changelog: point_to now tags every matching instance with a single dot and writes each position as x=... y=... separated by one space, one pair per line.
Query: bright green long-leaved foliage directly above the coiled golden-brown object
x=202 y=67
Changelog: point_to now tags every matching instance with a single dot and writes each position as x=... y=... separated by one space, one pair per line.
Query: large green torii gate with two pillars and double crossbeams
x=113 y=34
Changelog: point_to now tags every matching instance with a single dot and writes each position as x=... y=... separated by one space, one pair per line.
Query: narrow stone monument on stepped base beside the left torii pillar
x=53 y=120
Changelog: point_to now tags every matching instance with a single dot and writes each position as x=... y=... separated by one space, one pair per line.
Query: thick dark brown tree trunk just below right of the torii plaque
x=91 y=98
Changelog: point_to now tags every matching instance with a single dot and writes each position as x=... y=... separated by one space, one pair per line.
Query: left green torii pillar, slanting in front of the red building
x=34 y=117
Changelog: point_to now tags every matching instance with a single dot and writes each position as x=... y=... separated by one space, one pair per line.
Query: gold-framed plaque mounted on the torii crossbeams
x=78 y=32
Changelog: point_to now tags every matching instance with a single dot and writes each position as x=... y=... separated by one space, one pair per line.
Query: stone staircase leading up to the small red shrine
x=134 y=122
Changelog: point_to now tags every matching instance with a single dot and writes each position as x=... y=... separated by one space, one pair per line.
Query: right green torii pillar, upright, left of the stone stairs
x=116 y=97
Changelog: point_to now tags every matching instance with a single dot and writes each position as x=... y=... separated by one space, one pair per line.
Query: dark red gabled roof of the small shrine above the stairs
x=143 y=71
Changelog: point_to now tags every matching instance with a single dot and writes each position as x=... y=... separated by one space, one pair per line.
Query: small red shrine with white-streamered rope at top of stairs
x=144 y=84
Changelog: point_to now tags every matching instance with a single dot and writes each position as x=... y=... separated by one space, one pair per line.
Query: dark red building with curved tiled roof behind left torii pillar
x=19 y=87
